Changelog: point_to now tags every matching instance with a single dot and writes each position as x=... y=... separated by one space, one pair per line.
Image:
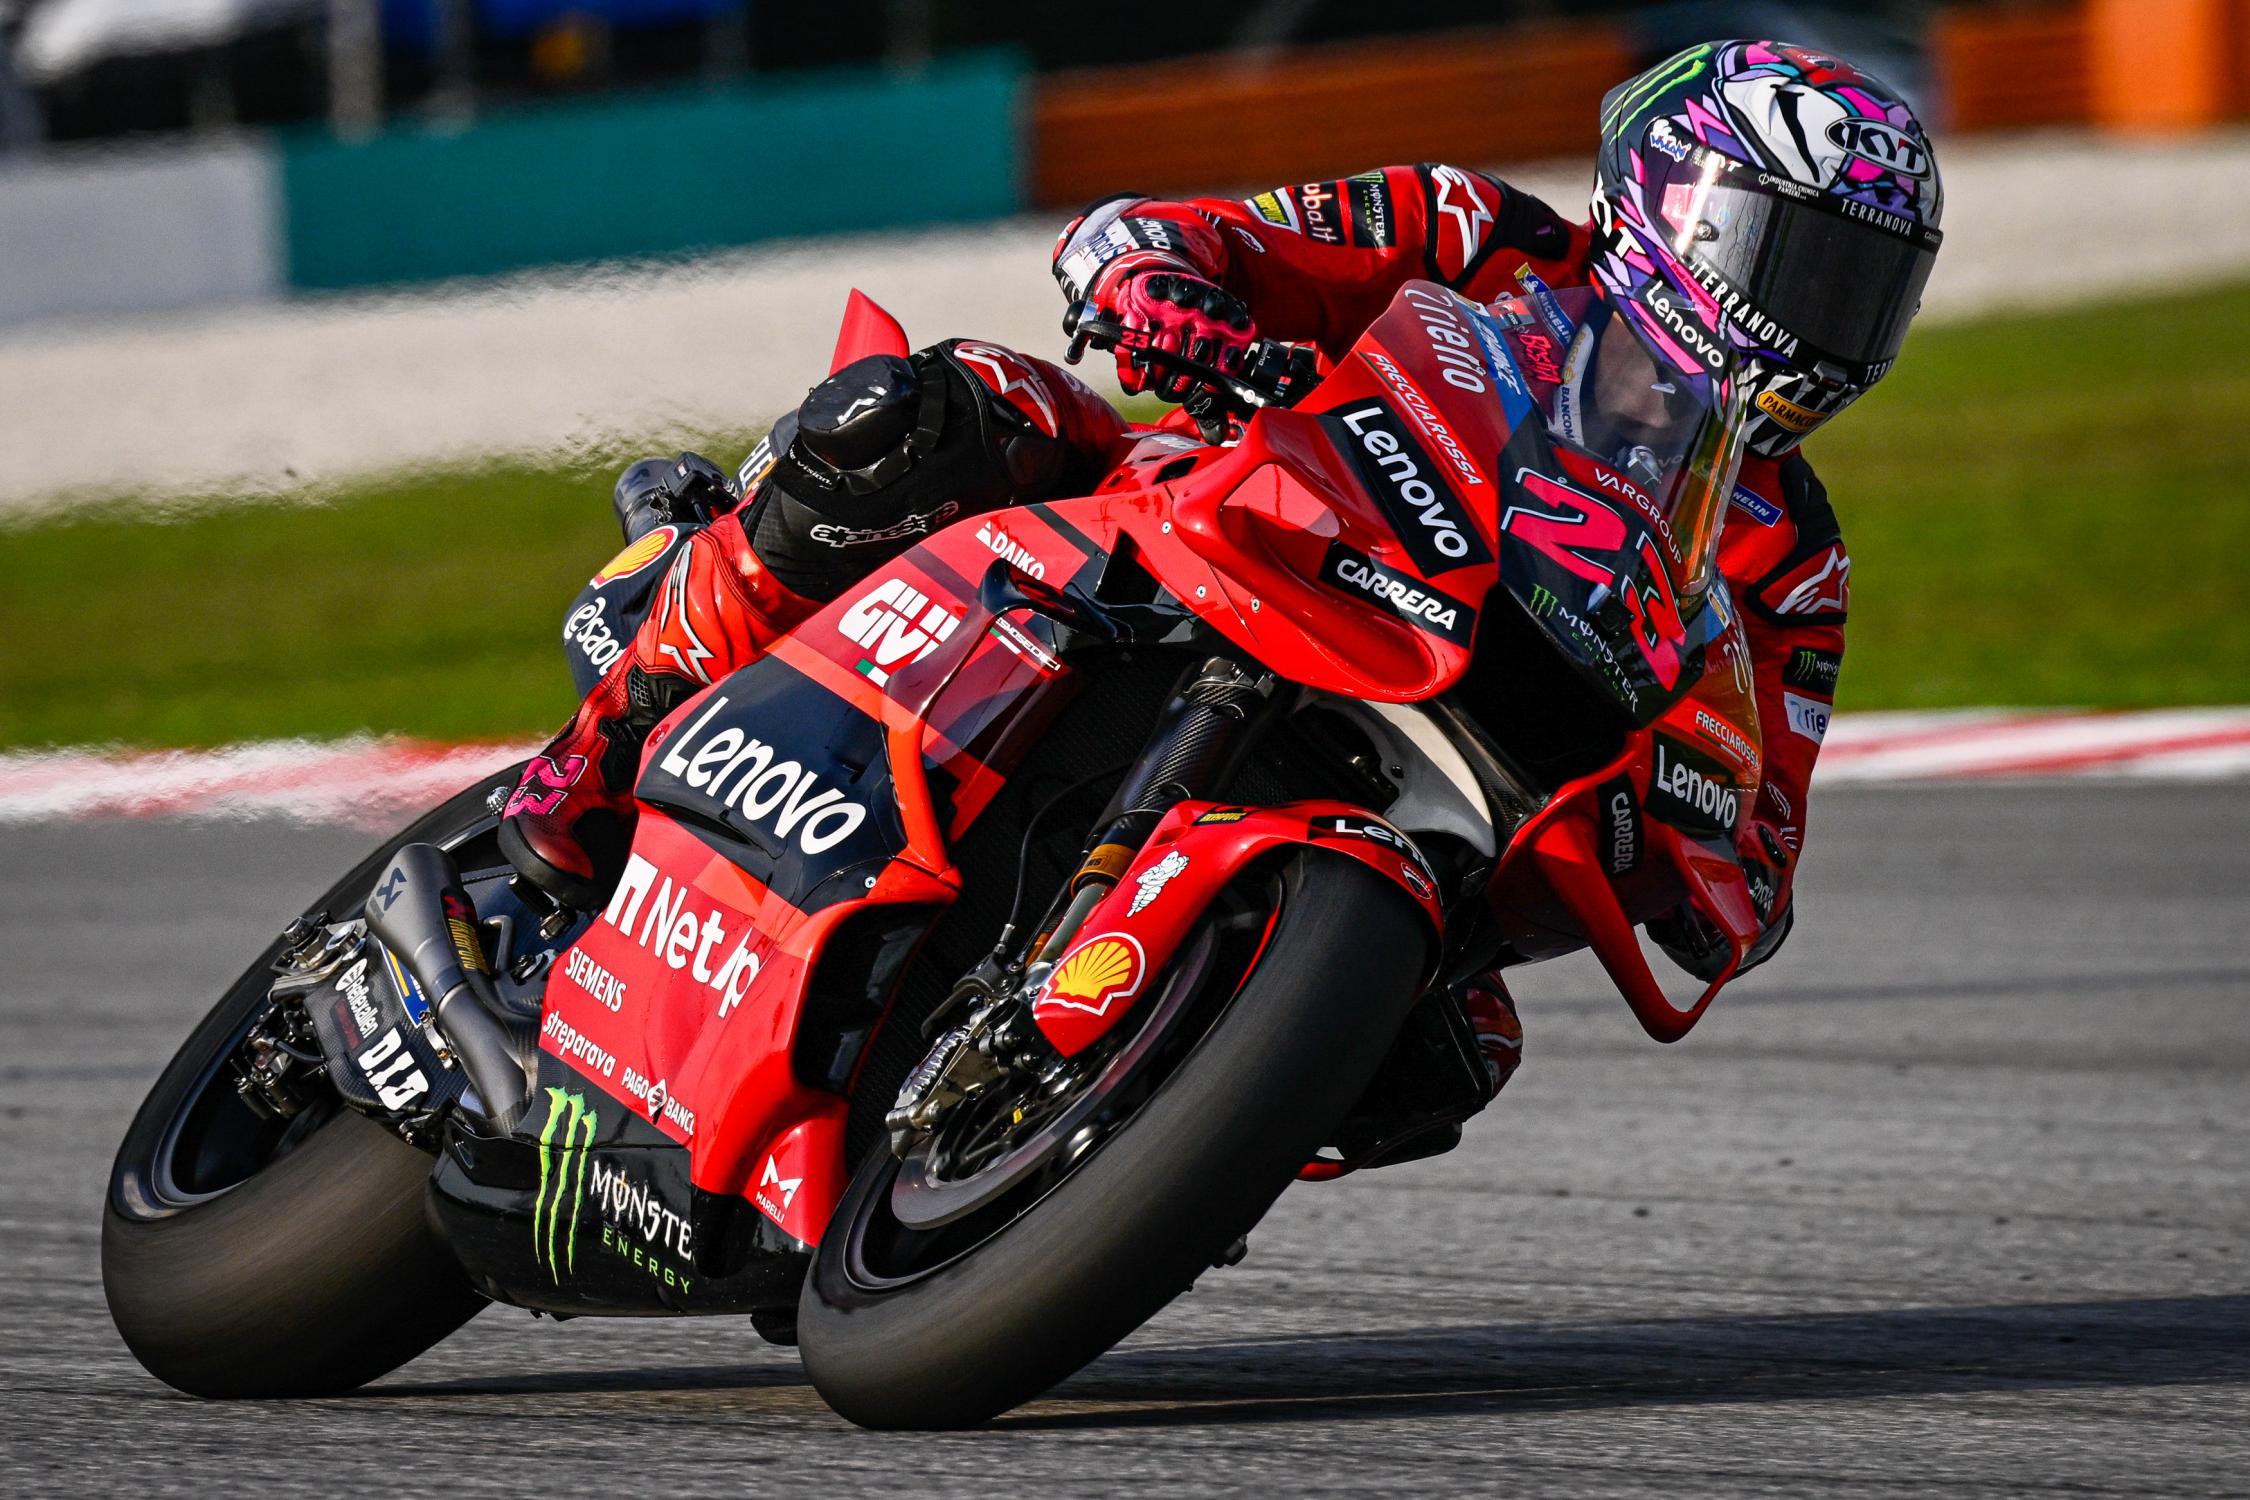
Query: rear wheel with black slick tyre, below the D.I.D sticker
x=246 y=1256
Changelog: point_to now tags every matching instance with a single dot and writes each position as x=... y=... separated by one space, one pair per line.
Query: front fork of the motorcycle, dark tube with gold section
x=1205 y=732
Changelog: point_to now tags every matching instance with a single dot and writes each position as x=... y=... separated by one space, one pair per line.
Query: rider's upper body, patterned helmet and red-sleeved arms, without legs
x=1790 y=197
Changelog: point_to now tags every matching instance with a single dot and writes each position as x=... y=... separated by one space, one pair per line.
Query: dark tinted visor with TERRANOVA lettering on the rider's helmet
x=1842 y=284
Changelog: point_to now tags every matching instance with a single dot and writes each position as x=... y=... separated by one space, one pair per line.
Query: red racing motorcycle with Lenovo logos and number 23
x=1002 y=946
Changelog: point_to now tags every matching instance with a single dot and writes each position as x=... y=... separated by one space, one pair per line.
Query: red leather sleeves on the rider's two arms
x=1322 y=260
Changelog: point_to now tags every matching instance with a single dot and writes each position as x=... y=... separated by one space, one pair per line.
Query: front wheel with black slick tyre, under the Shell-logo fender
x=942 y=1326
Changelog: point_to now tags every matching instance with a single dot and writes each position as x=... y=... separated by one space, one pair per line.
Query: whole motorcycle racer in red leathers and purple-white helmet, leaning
x=1716 y=165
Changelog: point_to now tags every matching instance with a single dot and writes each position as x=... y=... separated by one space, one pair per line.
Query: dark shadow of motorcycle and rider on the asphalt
x=1500 y=1368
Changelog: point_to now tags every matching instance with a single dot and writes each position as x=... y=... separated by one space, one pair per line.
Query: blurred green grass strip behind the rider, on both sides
x=2042 y=512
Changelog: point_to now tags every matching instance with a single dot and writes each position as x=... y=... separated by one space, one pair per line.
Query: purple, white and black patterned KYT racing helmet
x=1790 y=199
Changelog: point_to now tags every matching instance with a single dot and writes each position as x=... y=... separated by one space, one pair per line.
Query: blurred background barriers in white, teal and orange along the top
x=316 y=145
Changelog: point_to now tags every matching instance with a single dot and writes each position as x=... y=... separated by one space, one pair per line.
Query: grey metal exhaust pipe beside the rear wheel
x=422 y=914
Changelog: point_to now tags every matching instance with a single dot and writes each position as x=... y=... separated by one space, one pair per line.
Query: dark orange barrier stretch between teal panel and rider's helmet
x=1324 y=111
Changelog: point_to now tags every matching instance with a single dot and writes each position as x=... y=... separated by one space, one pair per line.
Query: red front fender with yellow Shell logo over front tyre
x=1133 y=934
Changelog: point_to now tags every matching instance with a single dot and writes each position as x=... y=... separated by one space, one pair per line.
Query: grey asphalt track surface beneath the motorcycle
x=1954 y=1200
